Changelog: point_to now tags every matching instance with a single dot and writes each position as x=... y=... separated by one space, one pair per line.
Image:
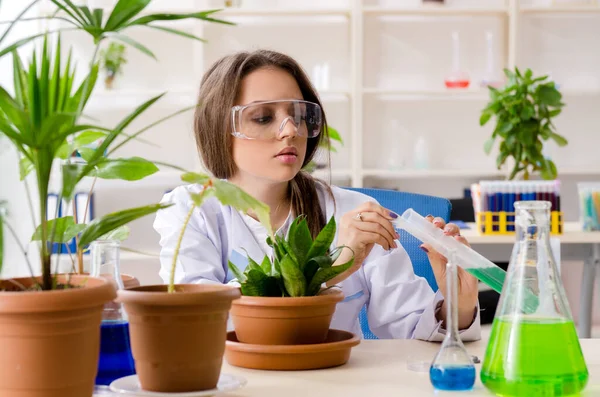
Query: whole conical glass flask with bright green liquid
x=533 y=348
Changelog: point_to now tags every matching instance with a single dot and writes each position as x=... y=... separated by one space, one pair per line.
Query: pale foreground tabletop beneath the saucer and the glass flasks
x=379 y=368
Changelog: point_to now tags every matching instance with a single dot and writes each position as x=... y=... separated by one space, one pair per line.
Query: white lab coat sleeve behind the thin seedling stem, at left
x=199 y=260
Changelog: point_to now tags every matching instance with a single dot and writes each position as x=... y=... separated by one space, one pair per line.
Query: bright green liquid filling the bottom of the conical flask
x=534 y=357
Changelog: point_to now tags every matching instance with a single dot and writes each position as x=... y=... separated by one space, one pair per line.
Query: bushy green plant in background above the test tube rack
x=524 y=109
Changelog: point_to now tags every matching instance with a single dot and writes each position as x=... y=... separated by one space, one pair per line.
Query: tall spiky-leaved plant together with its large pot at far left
x=40 y=118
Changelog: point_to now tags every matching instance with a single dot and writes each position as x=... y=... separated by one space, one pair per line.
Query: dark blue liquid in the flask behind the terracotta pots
x=116 y=360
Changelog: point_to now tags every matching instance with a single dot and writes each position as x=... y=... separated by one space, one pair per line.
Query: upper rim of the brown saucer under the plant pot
x=350 y=340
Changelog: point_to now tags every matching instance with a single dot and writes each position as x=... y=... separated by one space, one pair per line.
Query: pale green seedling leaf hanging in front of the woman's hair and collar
x=229 y=194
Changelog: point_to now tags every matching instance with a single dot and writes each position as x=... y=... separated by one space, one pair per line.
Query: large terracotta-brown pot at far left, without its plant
x=50 y=340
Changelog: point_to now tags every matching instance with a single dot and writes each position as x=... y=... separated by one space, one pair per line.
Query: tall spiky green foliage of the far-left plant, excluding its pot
x=42 y=118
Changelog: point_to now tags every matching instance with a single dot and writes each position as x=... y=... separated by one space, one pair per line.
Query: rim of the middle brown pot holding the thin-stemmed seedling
x=185 y=295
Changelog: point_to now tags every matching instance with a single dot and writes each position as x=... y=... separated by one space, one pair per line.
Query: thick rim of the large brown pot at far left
x=57 y=300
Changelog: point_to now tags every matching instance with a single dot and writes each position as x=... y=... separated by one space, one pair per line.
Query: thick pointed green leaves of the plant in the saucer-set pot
x=299 y=267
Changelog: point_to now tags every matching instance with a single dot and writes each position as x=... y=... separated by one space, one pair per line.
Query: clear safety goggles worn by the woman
x=267 y=119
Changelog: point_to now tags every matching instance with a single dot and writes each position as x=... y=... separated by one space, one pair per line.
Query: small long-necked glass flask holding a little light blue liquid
x=452 y=368
